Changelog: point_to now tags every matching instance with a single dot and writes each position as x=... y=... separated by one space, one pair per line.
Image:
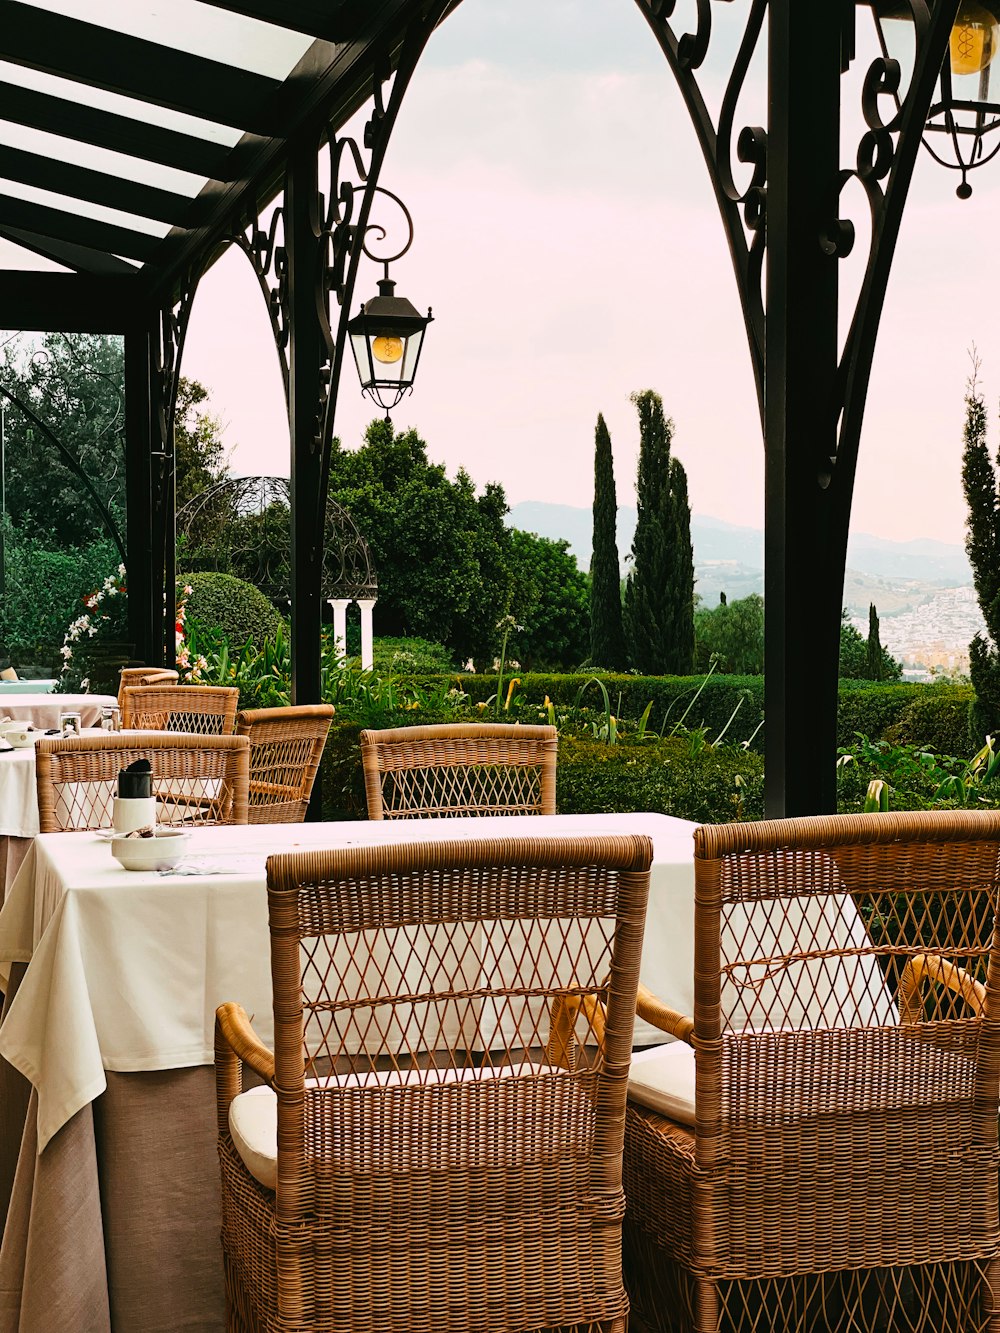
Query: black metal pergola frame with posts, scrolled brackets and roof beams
x=258 y=135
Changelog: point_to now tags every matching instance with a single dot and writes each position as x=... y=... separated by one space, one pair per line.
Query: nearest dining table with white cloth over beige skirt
x=109 y=1167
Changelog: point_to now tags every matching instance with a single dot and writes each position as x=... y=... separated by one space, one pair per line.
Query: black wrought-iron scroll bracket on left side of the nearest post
x=743 y=210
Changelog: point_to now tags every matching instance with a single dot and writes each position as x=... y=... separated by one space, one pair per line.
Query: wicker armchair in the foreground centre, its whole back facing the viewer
x=403 y=1179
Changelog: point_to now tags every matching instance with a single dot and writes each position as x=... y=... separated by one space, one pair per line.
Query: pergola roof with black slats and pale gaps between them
x=139 y=135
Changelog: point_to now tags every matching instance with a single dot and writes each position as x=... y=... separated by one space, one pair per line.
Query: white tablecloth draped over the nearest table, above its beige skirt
x=127 y=970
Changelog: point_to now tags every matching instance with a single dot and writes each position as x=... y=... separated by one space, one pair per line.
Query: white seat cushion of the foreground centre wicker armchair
x=561 y=1100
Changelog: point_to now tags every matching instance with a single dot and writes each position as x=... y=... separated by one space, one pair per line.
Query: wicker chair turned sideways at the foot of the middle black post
x=286 y=752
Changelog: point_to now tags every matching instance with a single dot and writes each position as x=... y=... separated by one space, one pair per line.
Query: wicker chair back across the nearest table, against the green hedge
x=482 y=768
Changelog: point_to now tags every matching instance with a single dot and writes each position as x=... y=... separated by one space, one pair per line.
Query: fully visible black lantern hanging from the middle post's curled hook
x=386 y=338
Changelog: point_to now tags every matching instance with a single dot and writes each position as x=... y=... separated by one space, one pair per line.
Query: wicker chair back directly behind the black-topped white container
x=197 y=779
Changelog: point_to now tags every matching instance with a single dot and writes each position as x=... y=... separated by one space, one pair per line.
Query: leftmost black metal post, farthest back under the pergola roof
x=142 y=587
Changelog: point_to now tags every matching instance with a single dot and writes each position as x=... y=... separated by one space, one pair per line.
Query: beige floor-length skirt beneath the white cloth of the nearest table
x=115 y=1227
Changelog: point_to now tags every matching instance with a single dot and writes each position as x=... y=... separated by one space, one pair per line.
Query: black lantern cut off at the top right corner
x=965 y=118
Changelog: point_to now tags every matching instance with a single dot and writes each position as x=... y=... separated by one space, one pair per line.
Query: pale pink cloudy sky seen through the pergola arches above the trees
x=569 y=242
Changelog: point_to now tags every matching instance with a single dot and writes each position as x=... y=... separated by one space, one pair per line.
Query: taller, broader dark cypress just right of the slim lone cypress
x=661 y=591
